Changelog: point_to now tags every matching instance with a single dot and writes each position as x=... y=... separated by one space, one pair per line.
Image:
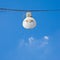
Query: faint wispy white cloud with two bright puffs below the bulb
x=33 y=42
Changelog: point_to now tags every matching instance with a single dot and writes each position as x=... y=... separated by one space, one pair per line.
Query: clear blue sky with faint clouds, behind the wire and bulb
x=40 y=43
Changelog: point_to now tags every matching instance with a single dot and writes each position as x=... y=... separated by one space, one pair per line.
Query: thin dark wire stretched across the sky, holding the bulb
x=6 y=9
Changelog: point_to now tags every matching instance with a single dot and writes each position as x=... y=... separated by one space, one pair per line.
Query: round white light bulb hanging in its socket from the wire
x=29 y=22
